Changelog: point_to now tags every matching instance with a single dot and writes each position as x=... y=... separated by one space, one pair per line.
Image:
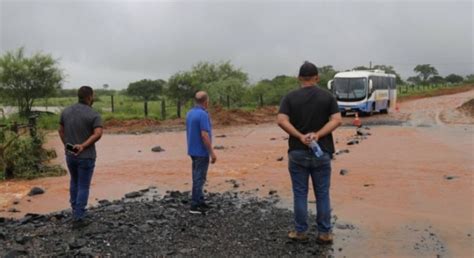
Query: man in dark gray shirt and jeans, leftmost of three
x=80 y=128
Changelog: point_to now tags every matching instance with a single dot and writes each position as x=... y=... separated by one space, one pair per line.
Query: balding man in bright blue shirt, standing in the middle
x=199 y=138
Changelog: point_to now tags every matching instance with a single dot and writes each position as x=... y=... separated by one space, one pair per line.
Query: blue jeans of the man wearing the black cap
x=302 y=165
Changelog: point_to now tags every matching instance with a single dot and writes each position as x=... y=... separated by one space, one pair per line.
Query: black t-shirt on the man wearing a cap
x=309 y=109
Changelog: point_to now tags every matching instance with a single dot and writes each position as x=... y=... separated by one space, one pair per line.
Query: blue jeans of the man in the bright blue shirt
x=200 y=167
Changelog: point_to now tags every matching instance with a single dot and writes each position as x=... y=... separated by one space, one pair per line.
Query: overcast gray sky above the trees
x=117 y=42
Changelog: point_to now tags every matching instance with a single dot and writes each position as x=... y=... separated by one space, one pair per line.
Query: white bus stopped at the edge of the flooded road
x=364 y=91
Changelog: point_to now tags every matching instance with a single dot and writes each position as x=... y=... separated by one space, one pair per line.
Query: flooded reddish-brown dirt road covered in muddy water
x=408 y=192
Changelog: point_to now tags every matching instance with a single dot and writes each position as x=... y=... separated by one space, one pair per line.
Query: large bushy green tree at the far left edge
x=25 y=79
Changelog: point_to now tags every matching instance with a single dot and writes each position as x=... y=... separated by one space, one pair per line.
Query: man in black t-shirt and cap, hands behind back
x=310 y=114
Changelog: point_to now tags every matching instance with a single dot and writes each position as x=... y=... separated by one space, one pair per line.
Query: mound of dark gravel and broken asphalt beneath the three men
x=236 y=225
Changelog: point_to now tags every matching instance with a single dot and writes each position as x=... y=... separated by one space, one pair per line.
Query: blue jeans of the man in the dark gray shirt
x=81 y=171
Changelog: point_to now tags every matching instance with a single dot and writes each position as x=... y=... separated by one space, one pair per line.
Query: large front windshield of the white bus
x=350 y=88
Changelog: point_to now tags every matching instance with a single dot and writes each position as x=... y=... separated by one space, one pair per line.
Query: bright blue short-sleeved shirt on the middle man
x=197 y=120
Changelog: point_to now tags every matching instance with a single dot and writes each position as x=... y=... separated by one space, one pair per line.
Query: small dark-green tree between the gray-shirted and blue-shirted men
x=146 y=90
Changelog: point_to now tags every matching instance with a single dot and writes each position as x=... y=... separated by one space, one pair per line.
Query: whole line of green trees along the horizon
x=25 y=79
